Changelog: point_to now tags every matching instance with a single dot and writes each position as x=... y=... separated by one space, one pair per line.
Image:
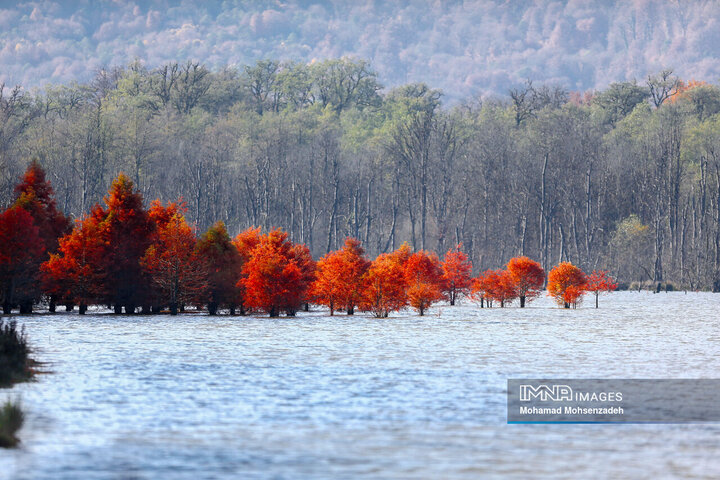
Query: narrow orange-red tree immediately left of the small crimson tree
x=423 y=277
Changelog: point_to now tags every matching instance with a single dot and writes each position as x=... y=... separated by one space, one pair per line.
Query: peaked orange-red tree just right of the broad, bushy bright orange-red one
x=339 y=277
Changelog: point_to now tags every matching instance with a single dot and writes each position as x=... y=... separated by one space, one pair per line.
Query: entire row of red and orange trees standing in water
x=128 y=257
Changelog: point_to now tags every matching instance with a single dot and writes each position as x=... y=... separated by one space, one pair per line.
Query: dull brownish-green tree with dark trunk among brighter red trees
x=224 y=265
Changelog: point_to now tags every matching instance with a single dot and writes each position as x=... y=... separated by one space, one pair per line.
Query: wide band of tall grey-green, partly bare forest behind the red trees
x=626 y=179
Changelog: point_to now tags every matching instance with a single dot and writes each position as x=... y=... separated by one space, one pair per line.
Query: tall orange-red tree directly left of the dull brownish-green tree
x=178 y=274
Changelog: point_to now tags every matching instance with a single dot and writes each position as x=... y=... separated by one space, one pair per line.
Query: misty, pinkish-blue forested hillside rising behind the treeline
x=464 y=48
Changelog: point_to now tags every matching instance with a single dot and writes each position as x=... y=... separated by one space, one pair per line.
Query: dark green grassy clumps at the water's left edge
x=15 y=366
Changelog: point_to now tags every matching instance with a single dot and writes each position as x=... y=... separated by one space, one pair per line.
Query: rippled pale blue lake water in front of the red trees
x=315 y=396
